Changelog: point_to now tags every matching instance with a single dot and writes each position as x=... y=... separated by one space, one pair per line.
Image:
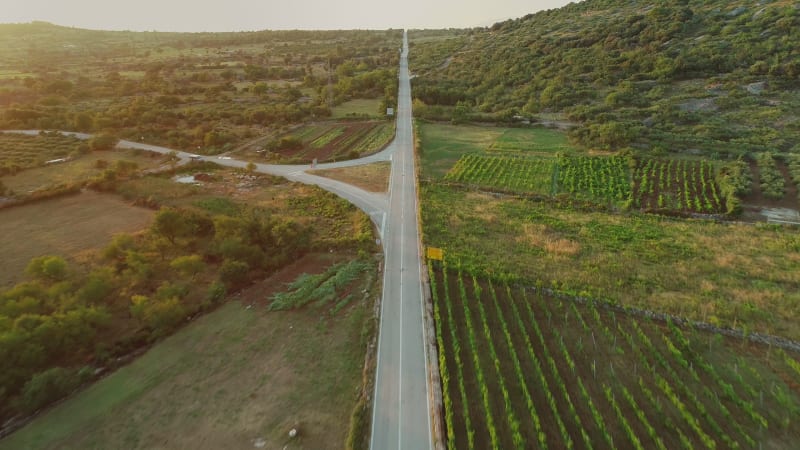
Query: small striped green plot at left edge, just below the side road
x=19 y=151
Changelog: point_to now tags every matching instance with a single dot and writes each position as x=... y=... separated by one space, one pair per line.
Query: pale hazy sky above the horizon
x=235 y=15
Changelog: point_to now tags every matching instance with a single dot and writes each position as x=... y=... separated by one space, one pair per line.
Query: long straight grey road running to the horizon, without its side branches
x=401 y=414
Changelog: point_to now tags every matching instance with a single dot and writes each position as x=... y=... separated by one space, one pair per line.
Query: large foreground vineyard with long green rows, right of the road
x=521 y=370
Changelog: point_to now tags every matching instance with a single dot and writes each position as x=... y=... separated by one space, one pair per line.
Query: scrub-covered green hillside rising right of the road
x=718 y=78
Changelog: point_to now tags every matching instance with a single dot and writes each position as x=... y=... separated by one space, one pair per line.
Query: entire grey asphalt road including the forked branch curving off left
x=401 y=413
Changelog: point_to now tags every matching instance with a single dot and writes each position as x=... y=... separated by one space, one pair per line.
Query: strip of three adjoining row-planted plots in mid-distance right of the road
x=657 y=185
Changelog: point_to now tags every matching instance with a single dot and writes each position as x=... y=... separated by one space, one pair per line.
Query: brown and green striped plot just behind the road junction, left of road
x=336 y=141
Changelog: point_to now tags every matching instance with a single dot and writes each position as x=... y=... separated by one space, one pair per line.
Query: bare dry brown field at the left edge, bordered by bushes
x=64 y=226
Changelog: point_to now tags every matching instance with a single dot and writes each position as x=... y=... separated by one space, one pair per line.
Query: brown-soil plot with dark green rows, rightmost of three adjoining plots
x=677 y=185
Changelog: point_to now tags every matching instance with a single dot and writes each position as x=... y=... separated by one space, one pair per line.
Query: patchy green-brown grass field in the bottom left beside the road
x=233 y=378
